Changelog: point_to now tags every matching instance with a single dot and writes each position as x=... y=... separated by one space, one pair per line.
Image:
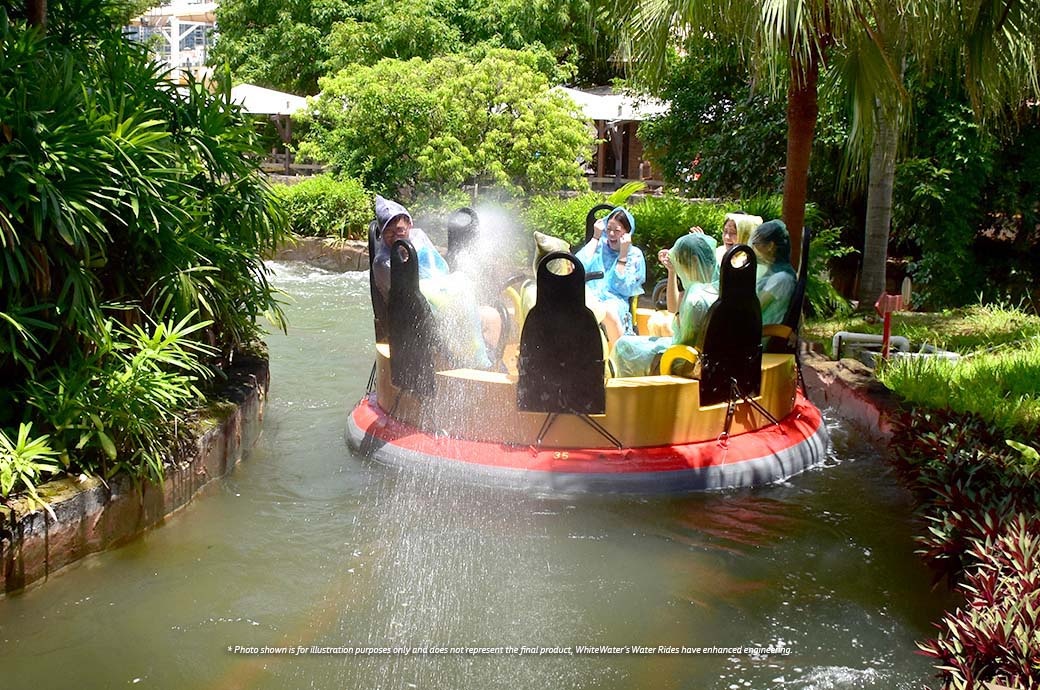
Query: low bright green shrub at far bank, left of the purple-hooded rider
x=328 y=208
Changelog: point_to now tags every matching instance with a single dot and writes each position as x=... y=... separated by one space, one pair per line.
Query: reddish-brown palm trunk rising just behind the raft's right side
x=802 y=112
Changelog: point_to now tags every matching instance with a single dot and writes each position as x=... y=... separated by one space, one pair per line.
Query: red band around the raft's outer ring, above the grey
x=802 y=425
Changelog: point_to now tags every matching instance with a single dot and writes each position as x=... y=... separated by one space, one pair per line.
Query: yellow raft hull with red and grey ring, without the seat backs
x=472 y=429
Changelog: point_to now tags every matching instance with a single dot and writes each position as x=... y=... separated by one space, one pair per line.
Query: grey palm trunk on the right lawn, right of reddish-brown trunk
x=879 y=211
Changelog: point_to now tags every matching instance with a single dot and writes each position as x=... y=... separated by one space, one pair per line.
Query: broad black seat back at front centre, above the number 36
x=561 y=352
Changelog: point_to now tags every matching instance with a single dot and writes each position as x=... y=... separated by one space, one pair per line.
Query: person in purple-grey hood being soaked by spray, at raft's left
x=470 y=331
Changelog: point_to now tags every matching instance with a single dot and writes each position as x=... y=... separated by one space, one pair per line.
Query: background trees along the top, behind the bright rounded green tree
x=289 y=45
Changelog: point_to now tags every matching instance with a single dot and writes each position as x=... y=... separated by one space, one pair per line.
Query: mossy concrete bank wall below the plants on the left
x=88 y=516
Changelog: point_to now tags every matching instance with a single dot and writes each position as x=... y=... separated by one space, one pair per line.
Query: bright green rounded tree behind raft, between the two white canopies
x=408 y=124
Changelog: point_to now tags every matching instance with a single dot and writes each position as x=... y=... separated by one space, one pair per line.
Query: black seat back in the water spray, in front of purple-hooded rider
x=410 y=324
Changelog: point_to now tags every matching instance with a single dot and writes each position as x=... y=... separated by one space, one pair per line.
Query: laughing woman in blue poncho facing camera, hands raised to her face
x=622 y=264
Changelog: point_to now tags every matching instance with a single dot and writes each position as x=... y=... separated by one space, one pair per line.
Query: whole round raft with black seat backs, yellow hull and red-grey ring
x=727 y=415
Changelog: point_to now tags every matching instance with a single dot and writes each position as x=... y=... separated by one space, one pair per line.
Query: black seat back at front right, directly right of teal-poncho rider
x=733 y=346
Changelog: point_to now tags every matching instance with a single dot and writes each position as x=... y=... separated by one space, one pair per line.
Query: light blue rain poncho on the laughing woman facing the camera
x=620 y=283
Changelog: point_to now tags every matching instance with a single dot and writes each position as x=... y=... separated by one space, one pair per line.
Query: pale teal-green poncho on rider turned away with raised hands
x=693 y=259
